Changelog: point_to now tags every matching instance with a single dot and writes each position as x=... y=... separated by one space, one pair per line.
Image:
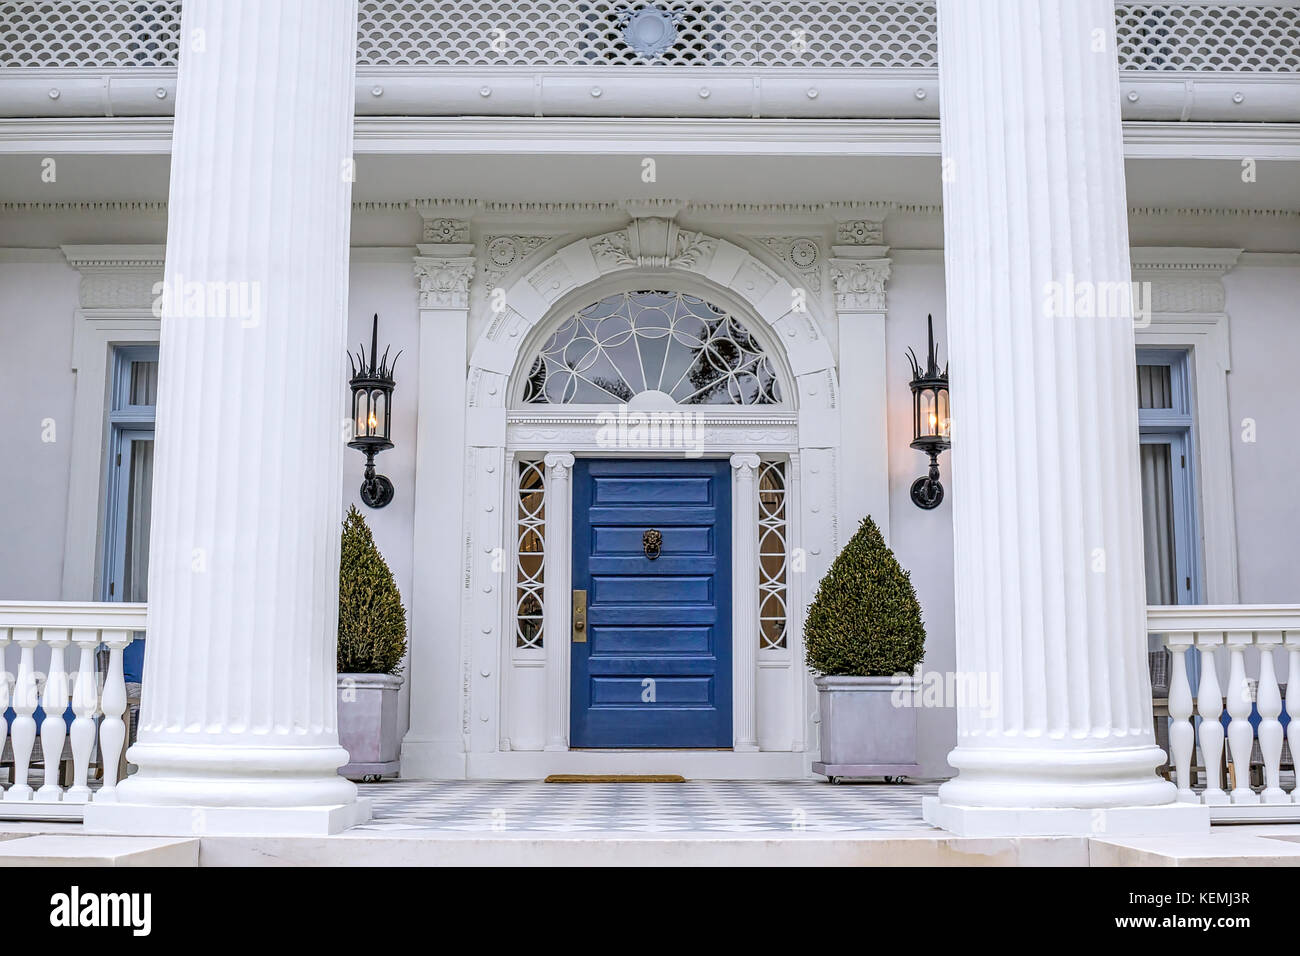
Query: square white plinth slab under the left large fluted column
x=151 y=820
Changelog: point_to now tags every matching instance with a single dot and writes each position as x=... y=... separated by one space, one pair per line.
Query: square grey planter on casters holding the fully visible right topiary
x=864 y=732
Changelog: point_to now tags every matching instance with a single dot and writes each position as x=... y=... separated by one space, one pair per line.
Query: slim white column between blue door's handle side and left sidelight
x=558 y=581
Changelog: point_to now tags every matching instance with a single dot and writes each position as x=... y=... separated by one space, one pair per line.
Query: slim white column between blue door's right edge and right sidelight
x=746 y=603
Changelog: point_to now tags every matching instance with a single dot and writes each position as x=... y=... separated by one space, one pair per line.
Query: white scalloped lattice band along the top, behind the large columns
x=670 y=33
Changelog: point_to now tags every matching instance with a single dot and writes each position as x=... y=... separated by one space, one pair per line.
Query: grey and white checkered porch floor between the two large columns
x=692 y=807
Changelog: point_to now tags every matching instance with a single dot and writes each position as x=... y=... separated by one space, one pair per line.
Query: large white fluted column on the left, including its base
x=240 y=708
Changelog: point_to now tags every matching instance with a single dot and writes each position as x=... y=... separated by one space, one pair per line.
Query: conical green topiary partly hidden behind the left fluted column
x=371 y=617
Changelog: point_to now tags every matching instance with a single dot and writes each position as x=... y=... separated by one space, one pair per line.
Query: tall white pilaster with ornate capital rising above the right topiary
x=860 y=272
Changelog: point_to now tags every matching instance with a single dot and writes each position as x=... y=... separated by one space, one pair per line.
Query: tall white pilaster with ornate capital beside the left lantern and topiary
x=435 y=745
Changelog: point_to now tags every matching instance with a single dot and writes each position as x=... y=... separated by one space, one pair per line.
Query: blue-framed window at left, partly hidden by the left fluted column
x=131 y=485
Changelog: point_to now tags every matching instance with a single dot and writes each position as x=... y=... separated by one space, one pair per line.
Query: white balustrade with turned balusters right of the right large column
x=1253 y=638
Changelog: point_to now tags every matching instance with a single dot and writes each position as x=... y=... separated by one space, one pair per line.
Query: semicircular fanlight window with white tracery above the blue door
x=675 y=344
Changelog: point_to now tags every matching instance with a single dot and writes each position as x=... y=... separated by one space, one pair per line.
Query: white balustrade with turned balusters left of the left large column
x=68 y=631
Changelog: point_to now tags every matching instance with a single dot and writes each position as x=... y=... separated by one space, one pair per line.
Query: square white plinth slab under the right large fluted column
x=1111 y=821
